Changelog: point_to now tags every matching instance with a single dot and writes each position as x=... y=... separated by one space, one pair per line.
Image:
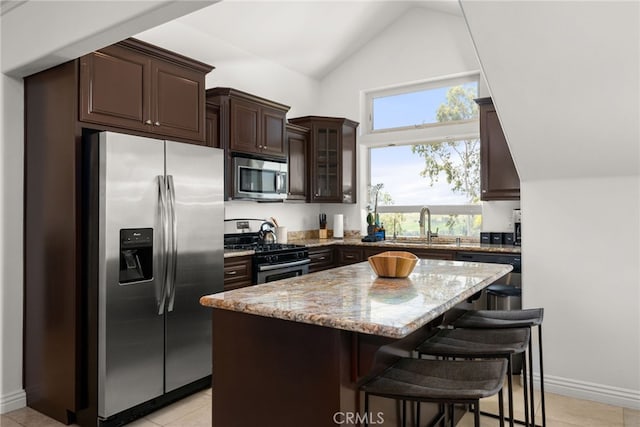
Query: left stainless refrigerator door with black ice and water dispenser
x=130 y=331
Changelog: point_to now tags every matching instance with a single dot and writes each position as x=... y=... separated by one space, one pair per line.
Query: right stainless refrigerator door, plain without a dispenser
x=195 y=181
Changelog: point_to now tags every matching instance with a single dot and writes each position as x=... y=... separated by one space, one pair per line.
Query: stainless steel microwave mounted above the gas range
x=259 y=179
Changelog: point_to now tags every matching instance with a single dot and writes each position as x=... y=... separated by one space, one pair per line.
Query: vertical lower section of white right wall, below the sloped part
x=581 y=262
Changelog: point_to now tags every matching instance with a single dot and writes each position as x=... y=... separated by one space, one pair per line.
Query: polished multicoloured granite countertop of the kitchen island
x=353 y=298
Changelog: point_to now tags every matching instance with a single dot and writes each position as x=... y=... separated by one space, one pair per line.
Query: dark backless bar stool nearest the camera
x=439 y=381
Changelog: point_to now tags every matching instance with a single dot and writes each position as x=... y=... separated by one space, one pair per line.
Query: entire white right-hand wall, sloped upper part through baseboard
x=565 y=78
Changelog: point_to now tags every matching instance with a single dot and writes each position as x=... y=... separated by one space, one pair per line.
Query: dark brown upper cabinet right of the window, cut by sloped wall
x=498 y=175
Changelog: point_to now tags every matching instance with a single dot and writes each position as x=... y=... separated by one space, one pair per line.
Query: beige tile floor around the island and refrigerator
x=195 y=411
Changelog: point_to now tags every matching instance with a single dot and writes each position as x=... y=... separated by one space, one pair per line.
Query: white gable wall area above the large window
x=420 y=45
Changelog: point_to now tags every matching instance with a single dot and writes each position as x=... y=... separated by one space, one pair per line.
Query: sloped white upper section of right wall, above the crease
x=565 y=79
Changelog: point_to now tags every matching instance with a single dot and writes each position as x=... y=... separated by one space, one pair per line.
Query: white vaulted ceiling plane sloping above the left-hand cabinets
x=310 y=37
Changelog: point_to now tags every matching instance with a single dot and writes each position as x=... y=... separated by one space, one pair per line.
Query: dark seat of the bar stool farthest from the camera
x=485 y=319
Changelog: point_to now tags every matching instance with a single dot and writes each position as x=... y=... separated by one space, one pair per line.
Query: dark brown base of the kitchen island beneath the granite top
x=313 y=372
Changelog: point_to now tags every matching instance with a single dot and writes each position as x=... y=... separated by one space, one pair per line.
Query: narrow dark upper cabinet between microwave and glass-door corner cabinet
x=297 y=141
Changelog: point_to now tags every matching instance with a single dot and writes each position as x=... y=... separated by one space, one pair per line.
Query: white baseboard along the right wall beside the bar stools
x=616 y=396
